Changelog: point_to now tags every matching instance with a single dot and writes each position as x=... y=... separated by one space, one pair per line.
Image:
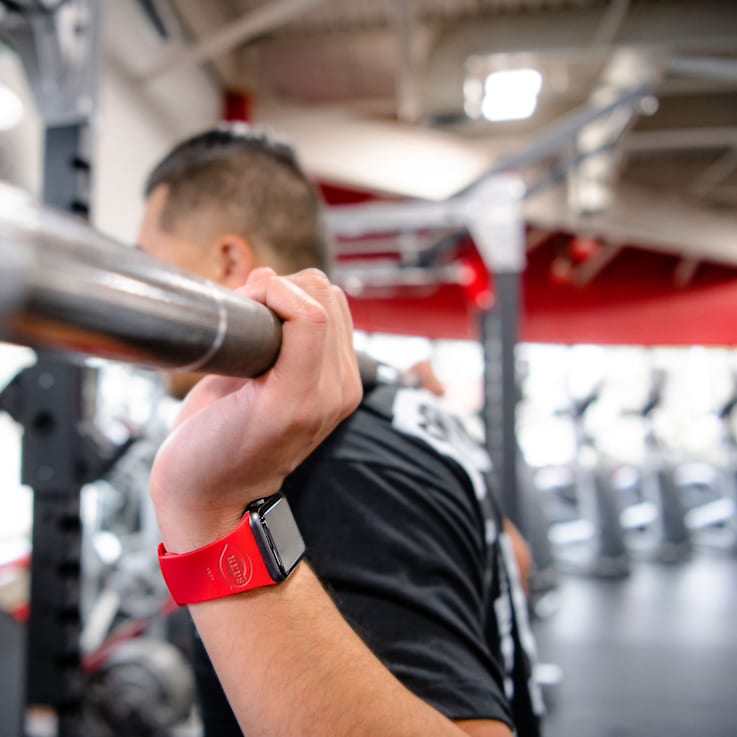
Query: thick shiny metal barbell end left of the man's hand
x=66 y=286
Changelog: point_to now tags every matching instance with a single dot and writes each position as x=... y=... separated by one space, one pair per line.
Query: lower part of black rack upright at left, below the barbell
x=52 y=452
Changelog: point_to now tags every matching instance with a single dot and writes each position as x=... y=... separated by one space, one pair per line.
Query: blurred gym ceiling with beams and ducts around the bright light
x=372 y=93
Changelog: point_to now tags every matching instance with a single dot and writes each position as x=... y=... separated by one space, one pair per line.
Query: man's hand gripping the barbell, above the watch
x=236 y=439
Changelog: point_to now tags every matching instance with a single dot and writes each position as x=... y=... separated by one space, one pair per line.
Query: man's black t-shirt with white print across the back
x=401 y=529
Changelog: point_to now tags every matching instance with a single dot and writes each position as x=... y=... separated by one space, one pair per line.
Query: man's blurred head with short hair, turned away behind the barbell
x=227 y=201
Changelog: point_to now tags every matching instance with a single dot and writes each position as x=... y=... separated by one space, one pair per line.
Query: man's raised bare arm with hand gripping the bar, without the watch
x=287 y=660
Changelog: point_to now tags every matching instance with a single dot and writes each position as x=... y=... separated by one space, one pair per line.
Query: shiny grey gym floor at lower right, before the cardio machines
x=654 y=654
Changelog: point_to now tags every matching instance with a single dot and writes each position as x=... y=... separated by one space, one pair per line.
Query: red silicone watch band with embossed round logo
x=230 y=565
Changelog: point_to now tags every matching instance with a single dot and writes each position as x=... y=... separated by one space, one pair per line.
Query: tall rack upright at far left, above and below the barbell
x=60 y=51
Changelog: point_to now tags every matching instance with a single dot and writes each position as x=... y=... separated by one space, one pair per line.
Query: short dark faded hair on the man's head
x=257 y=187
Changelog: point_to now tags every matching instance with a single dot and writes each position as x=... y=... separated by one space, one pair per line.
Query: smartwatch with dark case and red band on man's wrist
x=261 y=550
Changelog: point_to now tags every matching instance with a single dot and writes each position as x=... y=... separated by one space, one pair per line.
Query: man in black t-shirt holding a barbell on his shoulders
x=393 y=505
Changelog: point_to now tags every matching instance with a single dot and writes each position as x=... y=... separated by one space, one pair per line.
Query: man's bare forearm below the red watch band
x=292 y=666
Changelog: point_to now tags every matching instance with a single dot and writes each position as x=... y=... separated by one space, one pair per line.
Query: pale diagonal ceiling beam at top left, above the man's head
x=262 y=20
